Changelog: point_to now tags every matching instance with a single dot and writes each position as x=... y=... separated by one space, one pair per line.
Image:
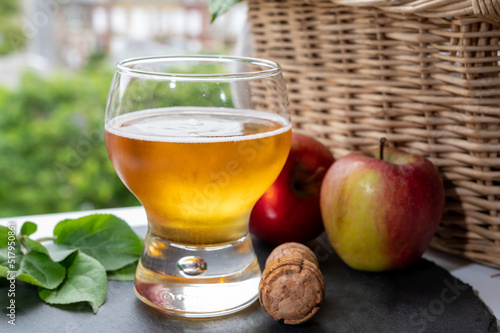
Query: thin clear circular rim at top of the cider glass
x=269 y=67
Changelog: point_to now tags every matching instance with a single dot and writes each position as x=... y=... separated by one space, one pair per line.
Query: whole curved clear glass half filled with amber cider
x=197 y=139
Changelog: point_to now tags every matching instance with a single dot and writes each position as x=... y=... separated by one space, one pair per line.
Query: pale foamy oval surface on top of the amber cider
x=197 y=125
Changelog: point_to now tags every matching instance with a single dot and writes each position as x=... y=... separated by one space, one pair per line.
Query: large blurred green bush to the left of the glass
x=52 y=152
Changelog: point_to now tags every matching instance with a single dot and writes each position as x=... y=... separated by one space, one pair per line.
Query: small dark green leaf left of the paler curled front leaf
x=38 y=269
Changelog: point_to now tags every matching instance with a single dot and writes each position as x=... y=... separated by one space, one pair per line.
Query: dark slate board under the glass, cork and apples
x=421 y=298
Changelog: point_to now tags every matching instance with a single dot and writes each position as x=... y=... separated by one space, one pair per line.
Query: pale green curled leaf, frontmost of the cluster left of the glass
x=86 y=282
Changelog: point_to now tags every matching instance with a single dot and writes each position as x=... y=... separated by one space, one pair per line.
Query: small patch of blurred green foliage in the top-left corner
x=12 y=36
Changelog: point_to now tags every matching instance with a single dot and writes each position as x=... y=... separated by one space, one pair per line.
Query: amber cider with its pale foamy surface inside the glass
x=198 y=172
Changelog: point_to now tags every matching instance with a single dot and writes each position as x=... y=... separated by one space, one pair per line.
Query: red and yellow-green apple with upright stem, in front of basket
x=381 y=213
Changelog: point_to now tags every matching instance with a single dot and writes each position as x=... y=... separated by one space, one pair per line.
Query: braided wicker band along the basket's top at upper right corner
x=487 y=10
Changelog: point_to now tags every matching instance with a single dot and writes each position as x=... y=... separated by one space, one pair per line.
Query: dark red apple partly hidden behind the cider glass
x=289 y=210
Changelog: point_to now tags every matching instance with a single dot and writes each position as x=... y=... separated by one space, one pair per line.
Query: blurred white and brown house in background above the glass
x=126 y=28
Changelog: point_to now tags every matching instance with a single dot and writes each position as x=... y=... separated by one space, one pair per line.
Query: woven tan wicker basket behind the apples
x=425 y=74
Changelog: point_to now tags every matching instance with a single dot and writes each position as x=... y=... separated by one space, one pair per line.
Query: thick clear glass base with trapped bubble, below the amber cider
x=197 y=281
